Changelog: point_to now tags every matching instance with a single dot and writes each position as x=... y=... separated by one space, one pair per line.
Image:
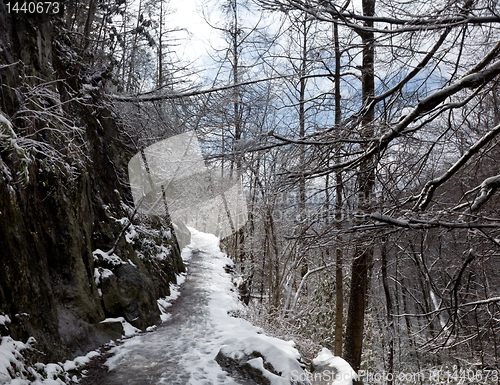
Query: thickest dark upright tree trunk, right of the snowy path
x=366 y=180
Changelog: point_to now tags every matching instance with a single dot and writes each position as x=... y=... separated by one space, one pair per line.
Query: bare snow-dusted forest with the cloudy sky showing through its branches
x=366 y=135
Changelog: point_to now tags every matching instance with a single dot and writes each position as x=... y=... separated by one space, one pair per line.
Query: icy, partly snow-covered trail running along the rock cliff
x=183 y=349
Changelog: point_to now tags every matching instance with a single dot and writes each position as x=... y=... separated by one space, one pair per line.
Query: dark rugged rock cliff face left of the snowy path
x=64 y=201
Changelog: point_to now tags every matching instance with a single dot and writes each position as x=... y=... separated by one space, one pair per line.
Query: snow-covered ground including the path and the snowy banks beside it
x=183 y=350
